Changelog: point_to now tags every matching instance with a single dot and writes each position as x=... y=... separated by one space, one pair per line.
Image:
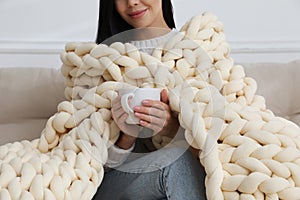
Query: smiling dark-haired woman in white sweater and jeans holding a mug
x=135 y=169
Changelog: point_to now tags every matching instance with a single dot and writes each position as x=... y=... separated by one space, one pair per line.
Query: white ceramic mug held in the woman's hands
x=134 y=97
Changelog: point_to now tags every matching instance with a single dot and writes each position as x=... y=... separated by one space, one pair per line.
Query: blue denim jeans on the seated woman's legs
x=169 y=173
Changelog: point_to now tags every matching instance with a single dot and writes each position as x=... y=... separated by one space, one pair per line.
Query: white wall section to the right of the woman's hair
x=257 y=30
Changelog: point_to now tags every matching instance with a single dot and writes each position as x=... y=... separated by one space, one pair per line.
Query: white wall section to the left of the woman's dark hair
x=33 y=32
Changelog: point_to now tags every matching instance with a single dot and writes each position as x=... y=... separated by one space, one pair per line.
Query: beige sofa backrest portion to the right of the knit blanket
x=279 y=83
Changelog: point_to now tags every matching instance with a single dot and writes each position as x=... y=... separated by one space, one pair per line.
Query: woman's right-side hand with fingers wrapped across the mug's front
x=157 y=116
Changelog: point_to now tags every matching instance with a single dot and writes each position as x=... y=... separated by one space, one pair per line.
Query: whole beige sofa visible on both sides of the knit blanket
x=29 y=96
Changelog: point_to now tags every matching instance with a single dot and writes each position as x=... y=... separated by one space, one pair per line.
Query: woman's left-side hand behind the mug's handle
x=129 y=132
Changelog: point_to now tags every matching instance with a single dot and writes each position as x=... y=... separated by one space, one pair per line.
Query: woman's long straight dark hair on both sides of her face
x=111 y=23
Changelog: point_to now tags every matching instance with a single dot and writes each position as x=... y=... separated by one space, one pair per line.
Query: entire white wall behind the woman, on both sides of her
x=33 y=32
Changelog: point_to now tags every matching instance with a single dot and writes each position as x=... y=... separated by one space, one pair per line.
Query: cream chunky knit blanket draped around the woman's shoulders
x=247 y=151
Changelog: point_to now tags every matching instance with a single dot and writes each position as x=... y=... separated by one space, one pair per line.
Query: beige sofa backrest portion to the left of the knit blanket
x=29 y=96
